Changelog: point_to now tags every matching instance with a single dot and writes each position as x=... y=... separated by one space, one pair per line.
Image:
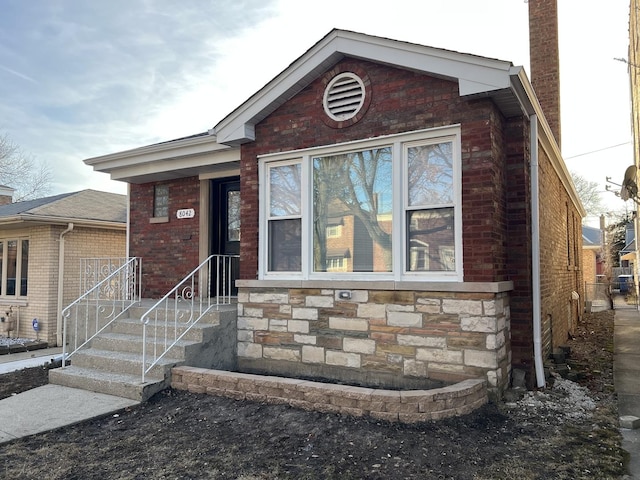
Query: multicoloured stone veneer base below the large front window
x=399 y=338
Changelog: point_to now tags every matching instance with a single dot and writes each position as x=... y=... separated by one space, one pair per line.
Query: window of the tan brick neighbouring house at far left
x=14 y=265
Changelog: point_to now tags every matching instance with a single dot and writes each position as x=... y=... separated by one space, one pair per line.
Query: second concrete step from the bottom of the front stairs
x=122 y=362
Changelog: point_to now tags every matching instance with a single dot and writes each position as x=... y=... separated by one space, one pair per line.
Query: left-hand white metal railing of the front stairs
x=100 y=306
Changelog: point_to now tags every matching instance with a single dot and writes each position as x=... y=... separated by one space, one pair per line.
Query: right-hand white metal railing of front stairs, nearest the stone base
x=209 y=285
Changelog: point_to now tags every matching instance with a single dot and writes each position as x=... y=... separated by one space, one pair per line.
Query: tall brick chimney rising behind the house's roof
x=545 y=59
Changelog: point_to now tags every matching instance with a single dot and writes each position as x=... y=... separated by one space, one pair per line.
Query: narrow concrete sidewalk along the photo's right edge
x=626 y=376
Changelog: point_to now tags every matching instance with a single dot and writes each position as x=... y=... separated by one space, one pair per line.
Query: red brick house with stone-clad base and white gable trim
x=402 y=213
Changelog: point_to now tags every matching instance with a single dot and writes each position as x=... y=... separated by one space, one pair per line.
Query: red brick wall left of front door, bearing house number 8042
x=169 y=250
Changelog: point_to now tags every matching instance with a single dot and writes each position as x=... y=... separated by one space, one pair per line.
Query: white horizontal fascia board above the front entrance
x=153 y=153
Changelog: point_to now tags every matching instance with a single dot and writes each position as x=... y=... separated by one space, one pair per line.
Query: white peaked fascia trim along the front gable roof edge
x=475 y=75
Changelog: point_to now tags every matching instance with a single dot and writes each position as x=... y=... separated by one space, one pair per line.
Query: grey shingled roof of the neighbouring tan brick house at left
x=86 y=207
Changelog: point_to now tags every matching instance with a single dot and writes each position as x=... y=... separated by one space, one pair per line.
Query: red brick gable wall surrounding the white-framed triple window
x=401 y=101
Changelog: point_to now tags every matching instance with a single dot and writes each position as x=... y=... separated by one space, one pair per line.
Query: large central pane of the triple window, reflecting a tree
x=354 y=191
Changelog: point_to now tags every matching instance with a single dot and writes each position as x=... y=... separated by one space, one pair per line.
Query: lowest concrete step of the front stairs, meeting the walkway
x=117 y=384
